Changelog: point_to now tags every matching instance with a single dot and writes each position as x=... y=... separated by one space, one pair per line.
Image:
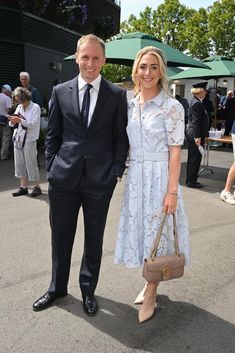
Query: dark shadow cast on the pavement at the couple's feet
x=201 y=331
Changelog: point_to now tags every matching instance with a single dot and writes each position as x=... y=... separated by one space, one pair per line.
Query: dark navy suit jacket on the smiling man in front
x=101 y=148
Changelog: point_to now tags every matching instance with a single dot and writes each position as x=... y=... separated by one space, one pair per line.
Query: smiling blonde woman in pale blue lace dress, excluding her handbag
x=156 y=133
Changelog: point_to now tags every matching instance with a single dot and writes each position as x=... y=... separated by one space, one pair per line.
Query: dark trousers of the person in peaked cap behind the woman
x=193 y=161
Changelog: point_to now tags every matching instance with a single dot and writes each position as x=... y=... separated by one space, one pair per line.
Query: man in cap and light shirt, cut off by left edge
x=5 y=106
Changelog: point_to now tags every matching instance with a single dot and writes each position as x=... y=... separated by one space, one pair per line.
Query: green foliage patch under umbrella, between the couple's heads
x=116 y=73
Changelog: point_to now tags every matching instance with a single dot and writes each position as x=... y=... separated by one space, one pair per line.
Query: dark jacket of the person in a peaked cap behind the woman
x=198 y=122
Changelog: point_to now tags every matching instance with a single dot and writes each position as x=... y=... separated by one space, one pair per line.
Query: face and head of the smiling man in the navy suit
x=90 y=59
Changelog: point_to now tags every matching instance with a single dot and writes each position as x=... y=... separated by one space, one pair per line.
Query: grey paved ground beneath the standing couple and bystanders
x=195 y=314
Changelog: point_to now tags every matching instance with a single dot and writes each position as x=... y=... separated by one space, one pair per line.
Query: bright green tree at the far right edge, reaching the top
x=221 y=26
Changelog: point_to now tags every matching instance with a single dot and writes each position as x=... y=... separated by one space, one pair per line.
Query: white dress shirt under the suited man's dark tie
x=93 y=93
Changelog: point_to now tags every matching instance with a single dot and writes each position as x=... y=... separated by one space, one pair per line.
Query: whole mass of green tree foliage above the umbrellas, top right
x=199 y=33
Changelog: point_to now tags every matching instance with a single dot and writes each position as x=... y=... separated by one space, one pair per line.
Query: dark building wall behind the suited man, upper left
x=37 y=46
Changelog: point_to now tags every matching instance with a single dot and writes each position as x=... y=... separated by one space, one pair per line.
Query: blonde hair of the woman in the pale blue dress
x=163 y=81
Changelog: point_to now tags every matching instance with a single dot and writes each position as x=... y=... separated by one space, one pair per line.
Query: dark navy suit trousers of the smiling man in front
x=64 y=210
